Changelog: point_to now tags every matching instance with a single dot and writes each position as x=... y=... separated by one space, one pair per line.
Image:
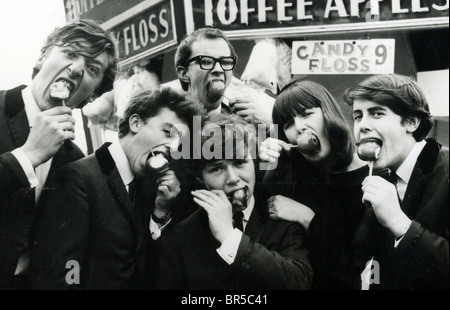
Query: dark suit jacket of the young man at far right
x=421 y=259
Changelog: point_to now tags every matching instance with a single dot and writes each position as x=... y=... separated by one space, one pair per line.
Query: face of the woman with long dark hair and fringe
x=312 y=122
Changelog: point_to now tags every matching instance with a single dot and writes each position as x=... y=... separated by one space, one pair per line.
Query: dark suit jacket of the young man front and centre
x=271 y=255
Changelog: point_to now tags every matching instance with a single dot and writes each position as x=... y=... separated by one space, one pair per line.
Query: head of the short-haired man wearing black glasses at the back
x=204 y=63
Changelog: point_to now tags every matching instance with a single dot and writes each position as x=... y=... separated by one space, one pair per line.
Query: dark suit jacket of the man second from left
x=91 y=219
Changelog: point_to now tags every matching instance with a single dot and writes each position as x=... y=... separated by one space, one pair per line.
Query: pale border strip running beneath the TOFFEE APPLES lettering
x=295 y=31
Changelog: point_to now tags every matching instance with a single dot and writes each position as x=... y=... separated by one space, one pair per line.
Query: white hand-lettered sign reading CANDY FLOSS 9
x=343 y=57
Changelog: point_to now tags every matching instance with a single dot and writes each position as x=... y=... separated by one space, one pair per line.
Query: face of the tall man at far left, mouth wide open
x=82 y=75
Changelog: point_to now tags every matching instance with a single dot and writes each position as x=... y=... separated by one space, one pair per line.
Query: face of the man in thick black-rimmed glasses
x=197 y=78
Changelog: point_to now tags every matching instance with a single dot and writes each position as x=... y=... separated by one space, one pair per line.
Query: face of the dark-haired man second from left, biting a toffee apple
x=159 y=134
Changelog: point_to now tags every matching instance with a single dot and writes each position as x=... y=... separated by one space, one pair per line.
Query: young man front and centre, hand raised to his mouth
x=205 y=251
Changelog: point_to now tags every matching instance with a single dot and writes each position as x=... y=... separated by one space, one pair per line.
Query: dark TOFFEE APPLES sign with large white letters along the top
x=264 y=18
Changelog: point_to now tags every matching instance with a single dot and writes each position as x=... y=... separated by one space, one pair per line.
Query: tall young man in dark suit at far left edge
x=34 y=125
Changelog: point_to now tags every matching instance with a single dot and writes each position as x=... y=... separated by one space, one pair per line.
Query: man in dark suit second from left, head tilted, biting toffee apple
x=95 y=231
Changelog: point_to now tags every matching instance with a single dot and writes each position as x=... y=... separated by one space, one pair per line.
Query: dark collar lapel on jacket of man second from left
x=115 y=182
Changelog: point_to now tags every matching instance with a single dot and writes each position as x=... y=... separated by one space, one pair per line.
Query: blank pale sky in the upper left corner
x=24 y=26
